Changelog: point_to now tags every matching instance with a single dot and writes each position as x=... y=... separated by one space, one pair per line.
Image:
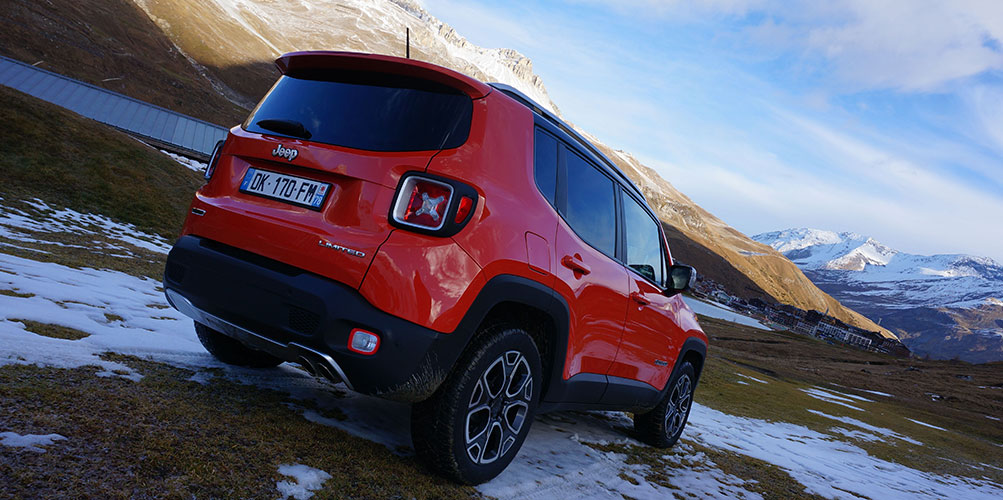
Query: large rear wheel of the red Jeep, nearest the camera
x=465 y=433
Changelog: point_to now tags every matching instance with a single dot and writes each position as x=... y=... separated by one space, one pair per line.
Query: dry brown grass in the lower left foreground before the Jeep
x=168 y=437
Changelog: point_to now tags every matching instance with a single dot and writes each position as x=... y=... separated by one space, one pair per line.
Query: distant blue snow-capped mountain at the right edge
x=944 y=306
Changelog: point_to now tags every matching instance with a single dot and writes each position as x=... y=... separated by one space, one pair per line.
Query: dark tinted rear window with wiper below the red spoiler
x=377 y=113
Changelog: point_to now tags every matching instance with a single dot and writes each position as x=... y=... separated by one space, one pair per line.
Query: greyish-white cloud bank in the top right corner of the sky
x=913 y=46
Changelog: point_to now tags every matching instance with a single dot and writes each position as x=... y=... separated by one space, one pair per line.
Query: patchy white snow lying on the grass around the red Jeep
x=129 y=315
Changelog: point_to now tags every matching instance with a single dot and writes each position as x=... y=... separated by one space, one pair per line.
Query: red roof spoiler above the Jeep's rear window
x=355 y=62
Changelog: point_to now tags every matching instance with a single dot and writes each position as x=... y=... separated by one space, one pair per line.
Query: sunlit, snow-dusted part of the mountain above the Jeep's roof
x=241 y=34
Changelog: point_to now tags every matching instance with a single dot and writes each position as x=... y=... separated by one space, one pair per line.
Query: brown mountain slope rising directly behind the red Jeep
x=229 y=47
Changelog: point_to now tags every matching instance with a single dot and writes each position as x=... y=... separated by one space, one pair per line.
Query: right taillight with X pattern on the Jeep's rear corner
x=433 y=205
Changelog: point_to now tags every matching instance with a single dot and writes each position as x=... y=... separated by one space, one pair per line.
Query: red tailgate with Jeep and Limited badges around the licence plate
x=339 y=241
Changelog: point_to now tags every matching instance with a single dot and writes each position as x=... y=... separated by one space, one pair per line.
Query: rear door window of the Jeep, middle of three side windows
x=592 y=211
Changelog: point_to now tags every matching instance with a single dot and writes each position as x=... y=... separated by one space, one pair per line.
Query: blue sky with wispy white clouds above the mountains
x=879 y=118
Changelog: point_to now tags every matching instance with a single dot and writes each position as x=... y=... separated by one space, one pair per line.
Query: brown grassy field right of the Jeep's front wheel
x=791 y=363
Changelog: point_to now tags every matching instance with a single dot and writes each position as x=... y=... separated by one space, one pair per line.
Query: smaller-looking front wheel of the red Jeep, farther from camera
x=662 y=426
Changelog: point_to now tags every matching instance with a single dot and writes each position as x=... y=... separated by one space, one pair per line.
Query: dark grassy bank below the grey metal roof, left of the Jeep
x=75 y=163
